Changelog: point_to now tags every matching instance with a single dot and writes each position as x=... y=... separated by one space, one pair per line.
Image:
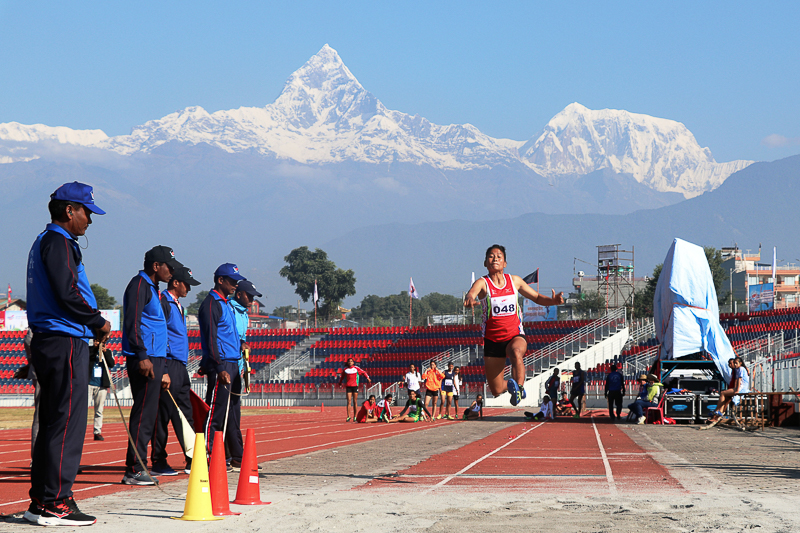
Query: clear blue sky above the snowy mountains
x=728 y=70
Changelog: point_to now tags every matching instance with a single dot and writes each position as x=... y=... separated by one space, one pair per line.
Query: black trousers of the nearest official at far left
x=62 y=368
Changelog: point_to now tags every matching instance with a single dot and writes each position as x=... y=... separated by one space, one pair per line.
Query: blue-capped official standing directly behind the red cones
x=220 y=343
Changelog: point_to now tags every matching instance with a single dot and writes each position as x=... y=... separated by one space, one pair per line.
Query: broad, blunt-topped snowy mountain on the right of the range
x=661 y=153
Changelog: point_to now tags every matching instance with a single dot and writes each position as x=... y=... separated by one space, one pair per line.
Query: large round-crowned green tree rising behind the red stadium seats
x=303 y=267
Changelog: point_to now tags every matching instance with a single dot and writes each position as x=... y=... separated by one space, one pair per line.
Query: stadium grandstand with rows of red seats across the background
x=289 y=365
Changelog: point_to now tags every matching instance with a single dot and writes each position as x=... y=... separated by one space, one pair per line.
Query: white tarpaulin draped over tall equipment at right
x=685 y=308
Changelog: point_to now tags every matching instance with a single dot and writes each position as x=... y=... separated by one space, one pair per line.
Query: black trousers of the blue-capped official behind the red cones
x=217 y=395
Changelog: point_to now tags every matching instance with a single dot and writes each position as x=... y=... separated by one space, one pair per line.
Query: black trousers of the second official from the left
x=146 y=393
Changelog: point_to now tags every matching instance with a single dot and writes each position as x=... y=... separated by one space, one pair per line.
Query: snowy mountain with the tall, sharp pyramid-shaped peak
x=324 y=115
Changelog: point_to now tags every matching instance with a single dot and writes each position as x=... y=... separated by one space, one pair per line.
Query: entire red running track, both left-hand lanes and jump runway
x=584 y=456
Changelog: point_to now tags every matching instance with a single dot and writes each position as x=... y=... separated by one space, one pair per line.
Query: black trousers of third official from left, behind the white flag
x=180 y=385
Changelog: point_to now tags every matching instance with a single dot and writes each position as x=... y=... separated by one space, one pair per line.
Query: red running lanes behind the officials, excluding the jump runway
x=104 y=462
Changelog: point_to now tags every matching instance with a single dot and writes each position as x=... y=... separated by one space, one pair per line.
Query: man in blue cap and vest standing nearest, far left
x=63 y=315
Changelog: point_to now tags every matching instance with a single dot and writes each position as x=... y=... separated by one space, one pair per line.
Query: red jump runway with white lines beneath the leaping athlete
x=562 y=456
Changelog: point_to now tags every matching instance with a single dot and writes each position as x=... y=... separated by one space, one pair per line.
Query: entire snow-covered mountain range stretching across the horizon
x=324 y=115
